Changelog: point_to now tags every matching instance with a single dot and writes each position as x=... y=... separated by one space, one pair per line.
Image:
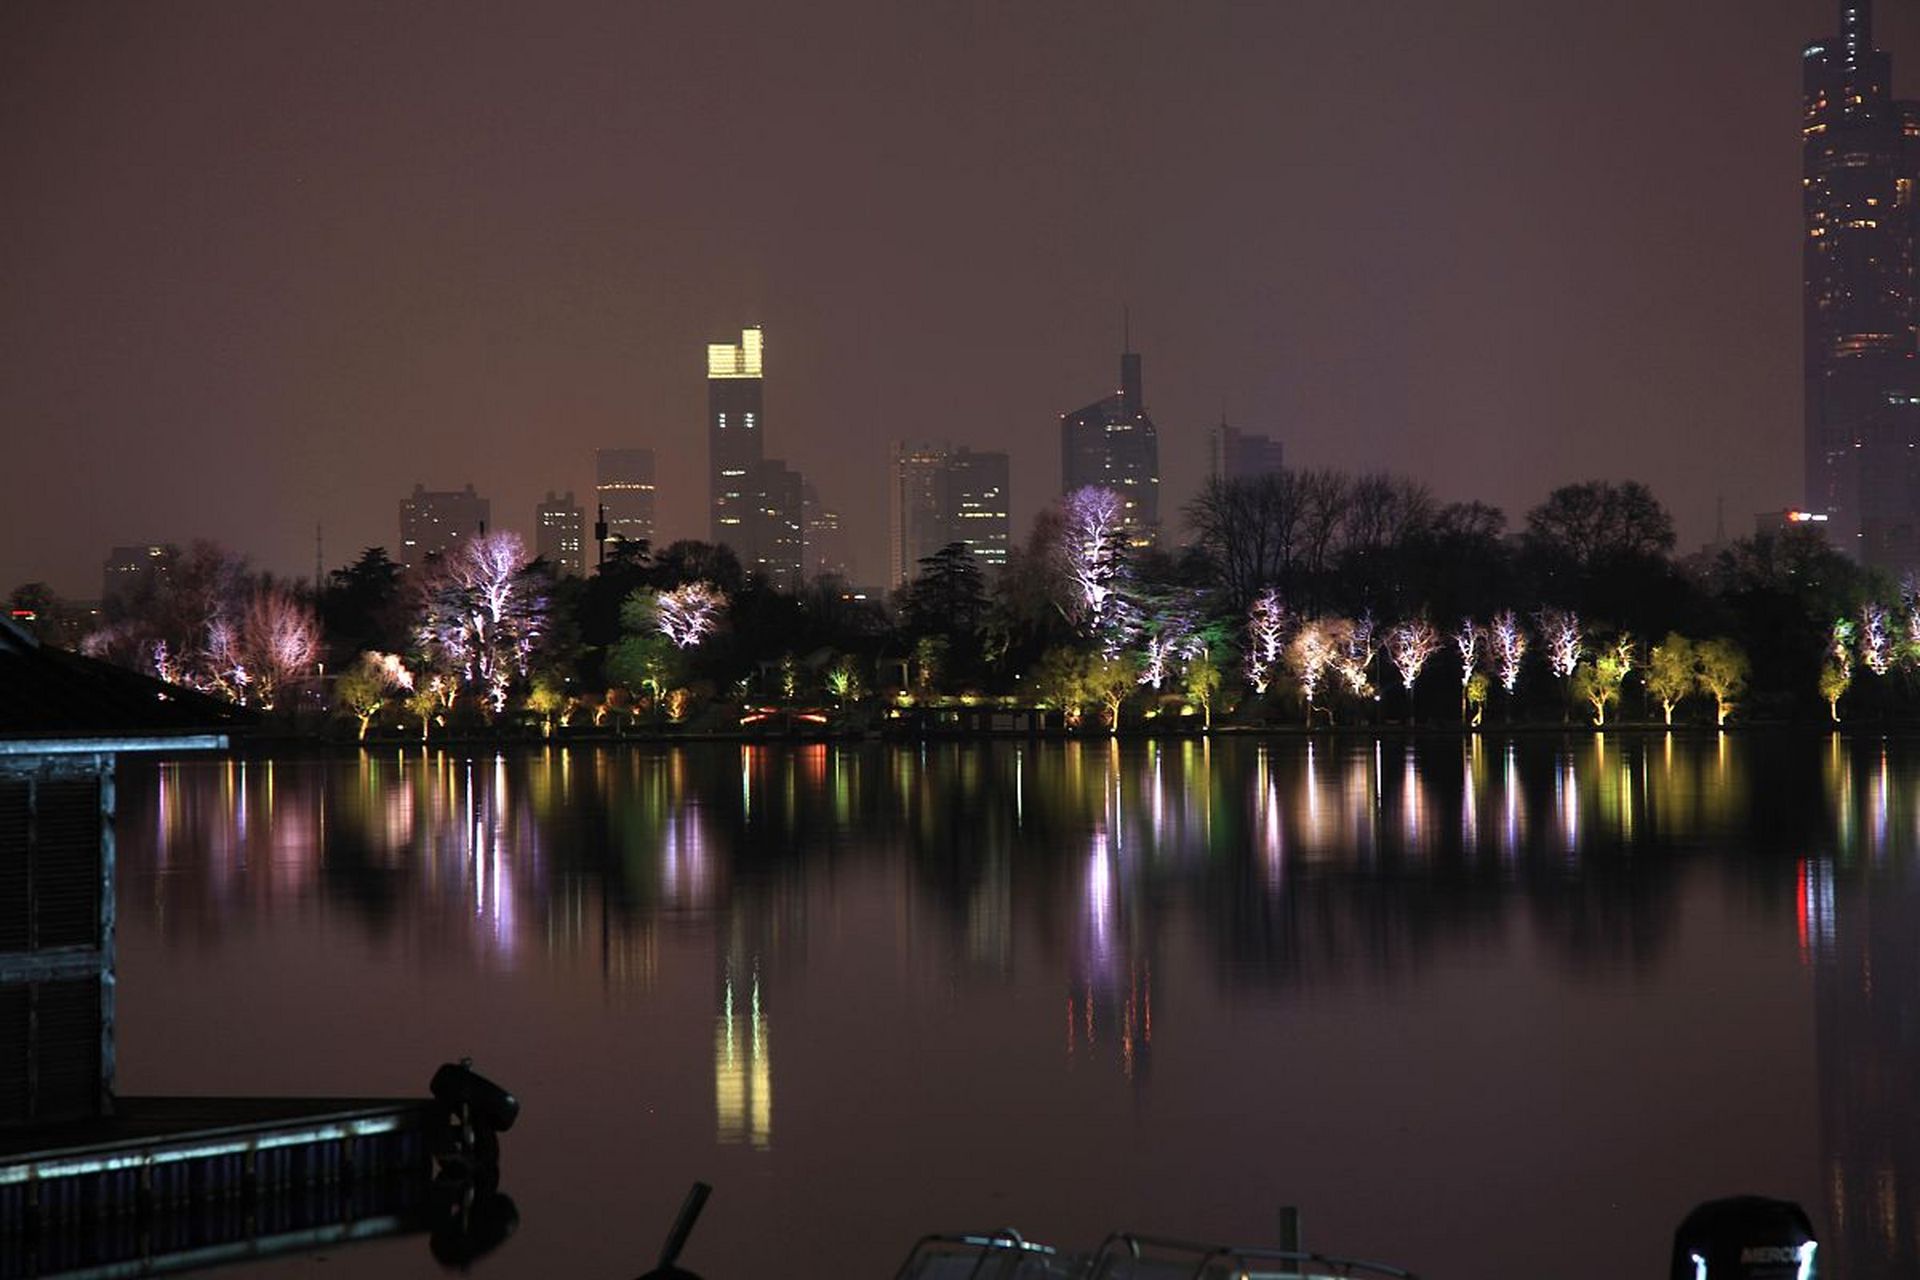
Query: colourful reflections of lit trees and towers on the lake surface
x=1291 y=868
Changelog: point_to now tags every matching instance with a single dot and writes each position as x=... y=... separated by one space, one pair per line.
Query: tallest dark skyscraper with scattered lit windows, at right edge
x=1861 y=160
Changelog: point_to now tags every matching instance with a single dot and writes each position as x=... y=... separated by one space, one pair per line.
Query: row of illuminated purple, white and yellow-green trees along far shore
x=1305 y=596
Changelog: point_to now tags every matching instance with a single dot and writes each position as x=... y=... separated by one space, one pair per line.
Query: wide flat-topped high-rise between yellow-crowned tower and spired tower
x=940 y=496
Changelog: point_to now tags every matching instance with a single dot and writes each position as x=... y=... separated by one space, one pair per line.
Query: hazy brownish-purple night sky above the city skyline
x=272 y=264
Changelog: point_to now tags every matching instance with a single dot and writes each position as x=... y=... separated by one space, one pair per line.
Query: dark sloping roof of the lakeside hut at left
x=51 y=694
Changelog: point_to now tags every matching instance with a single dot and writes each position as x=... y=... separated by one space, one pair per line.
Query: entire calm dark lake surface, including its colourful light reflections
x=1485 y=1010
